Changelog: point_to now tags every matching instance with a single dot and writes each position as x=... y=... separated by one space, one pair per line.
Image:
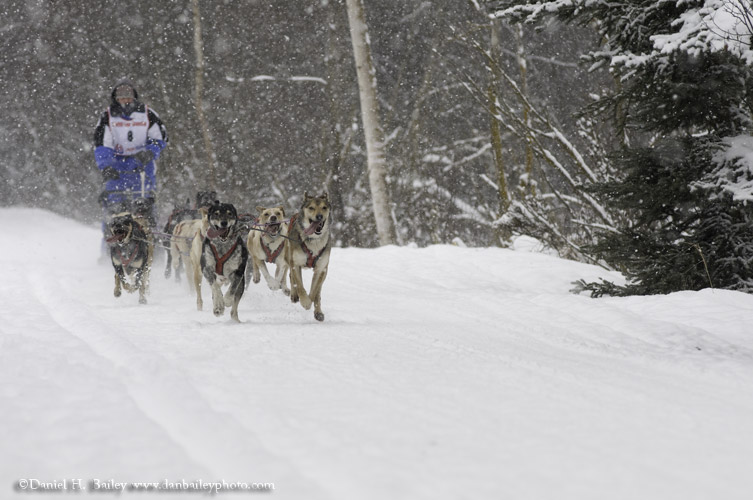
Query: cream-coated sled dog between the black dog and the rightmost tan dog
x=266 y=244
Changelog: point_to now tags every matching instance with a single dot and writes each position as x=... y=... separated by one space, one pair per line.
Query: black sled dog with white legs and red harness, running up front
x=223 y=259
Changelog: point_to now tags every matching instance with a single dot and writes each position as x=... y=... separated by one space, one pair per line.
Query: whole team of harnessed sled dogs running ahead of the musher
x=217 y=246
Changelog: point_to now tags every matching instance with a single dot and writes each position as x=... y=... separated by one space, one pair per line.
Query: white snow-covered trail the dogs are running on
x=438 y=373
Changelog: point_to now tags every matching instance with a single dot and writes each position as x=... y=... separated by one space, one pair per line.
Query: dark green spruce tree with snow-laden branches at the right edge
x=685 y=99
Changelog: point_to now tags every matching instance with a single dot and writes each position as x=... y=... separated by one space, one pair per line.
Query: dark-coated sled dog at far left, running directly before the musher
x=130 y=254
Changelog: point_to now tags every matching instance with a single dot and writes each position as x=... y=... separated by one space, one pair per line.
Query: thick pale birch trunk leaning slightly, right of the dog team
x=373 y=132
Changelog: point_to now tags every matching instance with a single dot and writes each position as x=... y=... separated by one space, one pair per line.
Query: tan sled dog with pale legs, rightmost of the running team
x=309 y=246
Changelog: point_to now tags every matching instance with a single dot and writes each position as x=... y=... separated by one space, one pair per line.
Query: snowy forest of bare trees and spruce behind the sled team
x=497 y=118
